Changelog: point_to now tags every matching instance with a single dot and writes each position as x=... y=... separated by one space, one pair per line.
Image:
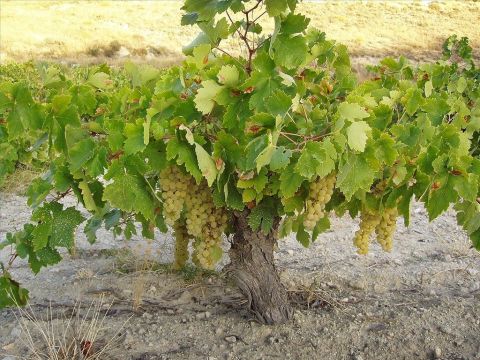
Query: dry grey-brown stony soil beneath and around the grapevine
x=419 y=302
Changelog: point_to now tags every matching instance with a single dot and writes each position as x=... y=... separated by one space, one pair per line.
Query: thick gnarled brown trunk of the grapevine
x=254 y=272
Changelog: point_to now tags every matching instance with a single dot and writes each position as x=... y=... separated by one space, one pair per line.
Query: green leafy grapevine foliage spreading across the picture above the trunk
x=259 y=128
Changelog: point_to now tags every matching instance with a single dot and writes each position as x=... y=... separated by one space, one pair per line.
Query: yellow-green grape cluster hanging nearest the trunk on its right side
x=320 y=193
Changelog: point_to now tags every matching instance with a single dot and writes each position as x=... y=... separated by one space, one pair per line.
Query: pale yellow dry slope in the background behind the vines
x=80 y=31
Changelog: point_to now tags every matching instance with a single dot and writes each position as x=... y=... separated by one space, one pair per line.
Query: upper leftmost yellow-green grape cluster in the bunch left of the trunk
x=175 y=185
